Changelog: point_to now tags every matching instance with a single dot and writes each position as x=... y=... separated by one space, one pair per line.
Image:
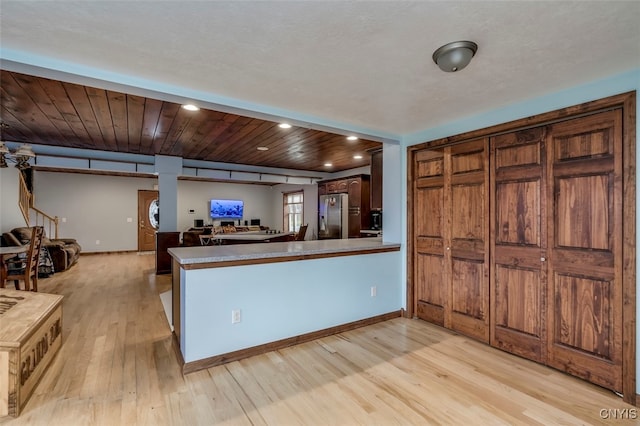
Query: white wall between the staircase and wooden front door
x=93 y=207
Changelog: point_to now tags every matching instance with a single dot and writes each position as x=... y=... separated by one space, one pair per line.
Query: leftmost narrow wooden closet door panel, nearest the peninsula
x=430 y=272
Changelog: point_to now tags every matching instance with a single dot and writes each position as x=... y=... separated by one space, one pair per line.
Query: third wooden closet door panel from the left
x=519 y=243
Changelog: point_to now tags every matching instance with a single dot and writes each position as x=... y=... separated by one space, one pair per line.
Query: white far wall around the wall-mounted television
x=195 y=195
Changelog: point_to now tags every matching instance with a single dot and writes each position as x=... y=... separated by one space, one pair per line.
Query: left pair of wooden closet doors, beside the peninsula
x=452 y=244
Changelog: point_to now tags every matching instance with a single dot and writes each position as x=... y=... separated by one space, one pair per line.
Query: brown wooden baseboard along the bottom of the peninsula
x=213 y=361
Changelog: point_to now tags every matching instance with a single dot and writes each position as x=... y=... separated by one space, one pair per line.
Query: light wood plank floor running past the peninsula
x=117 y=367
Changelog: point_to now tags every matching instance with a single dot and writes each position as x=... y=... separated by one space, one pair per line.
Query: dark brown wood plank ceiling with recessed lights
x=42 y=111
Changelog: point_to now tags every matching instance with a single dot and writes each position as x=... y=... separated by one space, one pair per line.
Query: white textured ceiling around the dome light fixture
x=356 y=65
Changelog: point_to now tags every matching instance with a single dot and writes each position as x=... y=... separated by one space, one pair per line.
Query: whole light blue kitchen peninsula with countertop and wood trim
x=230 y=302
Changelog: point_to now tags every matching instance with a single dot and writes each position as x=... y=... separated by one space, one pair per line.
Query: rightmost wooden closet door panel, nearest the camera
x=585 y=241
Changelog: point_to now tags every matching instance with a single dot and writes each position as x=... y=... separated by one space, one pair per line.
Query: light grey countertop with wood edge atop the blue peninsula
x=246 y=254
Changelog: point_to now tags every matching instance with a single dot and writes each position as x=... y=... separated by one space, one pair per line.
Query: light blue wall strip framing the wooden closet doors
x=596 y=90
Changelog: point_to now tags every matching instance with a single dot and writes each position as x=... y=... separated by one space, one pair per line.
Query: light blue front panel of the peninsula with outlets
x=287 y=299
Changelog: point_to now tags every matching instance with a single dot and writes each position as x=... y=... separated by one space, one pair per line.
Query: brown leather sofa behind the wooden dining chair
x=64 y=252
